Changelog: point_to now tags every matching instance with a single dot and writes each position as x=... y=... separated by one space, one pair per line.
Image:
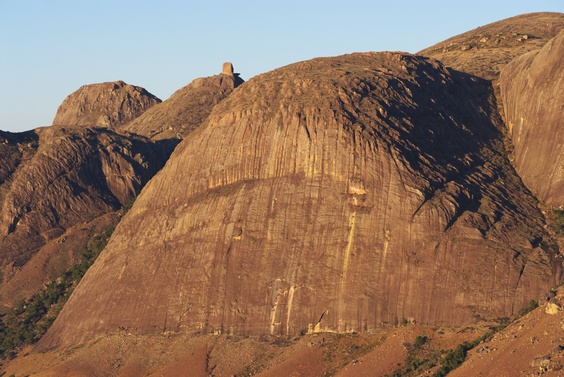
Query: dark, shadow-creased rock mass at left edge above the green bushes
x=61 y=178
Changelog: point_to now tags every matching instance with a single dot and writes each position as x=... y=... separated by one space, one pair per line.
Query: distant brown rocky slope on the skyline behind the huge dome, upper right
x=486 y=50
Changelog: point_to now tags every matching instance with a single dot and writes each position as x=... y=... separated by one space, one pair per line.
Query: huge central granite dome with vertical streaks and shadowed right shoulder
x=338 y=194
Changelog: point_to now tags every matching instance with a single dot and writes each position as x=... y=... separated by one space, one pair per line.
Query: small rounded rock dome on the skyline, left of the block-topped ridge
x=108 y=104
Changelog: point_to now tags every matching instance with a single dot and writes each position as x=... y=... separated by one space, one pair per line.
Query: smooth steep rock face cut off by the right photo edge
x=532 y=88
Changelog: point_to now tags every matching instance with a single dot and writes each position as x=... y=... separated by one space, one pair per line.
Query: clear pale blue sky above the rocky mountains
x=49 y=48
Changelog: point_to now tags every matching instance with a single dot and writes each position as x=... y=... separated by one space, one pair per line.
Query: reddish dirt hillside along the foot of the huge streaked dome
x=127 y=355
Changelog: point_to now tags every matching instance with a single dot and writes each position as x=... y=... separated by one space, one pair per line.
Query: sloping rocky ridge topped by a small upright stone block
x=187 y=108
